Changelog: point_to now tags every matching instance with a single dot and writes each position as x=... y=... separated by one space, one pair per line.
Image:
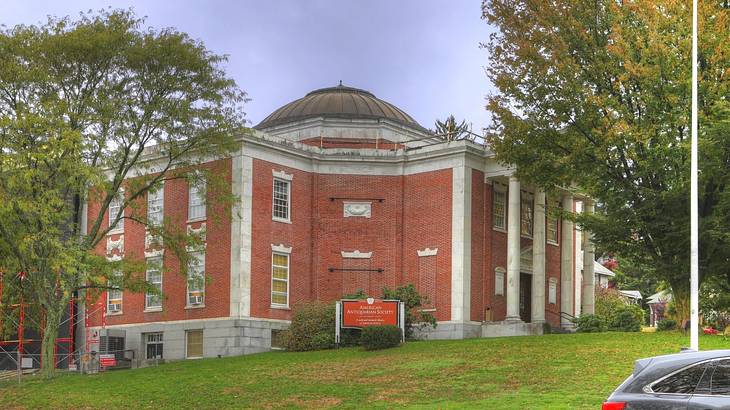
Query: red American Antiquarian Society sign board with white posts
x=358 y=314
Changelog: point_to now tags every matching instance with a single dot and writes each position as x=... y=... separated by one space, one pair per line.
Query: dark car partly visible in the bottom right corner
x=687 y=380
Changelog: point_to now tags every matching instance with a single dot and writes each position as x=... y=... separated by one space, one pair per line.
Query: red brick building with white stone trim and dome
x=341 y=191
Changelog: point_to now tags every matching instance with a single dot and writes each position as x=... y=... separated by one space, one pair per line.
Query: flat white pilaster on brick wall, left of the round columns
x=461 y=244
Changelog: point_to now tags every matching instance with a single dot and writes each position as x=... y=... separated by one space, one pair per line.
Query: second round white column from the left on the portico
x=538 y=259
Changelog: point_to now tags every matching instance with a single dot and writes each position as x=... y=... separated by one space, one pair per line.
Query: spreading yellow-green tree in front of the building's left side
x=94 y=109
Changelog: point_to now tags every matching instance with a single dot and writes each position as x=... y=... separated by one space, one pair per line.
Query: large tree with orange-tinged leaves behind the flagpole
x=596 y=94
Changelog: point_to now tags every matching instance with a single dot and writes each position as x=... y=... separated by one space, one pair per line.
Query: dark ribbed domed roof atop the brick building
x=338 y=102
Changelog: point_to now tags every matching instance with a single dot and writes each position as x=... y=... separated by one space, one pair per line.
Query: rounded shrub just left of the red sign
x=312 y=327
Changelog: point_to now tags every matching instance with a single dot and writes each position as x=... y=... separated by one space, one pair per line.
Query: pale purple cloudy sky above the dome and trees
x=422 y=56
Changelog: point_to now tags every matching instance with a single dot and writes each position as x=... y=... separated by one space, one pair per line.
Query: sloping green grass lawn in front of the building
x=553 y=371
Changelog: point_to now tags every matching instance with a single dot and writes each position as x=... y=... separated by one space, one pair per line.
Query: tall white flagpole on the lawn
x=694 y=224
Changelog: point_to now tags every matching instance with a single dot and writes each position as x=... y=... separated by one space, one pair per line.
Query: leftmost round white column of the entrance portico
x=513 y=251
